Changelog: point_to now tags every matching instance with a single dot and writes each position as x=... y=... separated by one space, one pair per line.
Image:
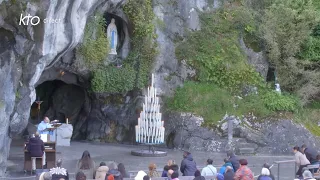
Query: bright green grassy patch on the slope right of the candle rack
x=212 y=102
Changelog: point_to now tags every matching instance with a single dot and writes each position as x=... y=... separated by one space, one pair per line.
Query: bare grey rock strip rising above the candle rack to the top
x=174 y=18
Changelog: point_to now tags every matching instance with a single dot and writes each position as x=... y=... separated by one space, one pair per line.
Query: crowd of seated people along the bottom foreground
x=232 y=169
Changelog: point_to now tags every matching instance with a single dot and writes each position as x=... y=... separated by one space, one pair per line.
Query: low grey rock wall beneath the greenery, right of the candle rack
x=270 y=136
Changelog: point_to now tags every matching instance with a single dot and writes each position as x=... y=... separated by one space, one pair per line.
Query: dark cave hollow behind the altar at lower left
x=59 y=101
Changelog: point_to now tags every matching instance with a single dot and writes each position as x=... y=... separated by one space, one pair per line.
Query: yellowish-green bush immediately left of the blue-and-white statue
x=95 y=46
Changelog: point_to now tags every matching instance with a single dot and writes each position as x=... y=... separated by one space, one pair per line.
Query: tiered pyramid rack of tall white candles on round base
x=150 y=129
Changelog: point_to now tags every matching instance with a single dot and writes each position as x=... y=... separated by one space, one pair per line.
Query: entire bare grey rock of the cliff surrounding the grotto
x=31 y=55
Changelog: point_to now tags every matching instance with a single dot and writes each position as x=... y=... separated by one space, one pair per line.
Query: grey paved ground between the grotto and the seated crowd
x=121 y=153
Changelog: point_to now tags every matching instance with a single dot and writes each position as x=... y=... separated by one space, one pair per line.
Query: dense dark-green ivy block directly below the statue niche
x=113 y=80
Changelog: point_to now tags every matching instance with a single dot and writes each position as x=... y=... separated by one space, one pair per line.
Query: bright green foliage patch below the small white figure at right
x=278 y=102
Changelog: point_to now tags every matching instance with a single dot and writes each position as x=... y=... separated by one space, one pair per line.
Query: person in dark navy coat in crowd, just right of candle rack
x=188 y=165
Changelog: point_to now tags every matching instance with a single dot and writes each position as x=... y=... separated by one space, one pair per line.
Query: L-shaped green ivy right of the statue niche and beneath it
x=136 y=67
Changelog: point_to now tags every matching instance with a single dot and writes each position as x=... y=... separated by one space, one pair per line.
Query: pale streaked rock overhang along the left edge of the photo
x=27 y=50
